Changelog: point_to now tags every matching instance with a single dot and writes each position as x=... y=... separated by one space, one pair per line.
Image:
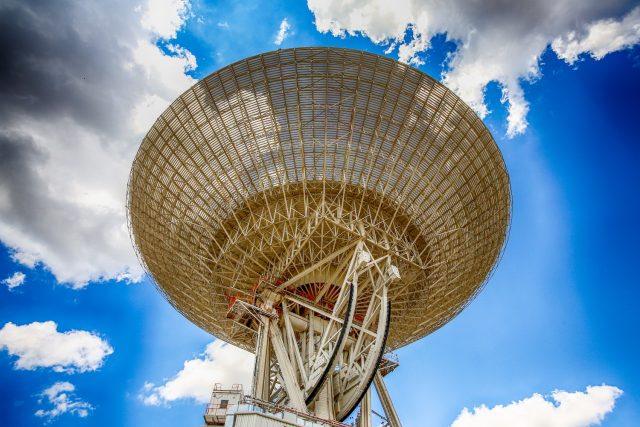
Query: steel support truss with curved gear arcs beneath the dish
x=324 y=358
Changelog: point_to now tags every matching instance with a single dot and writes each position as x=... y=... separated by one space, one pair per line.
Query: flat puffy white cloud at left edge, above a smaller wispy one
x=40 y=345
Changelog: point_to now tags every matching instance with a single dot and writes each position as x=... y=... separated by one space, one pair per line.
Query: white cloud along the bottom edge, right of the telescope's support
x=565 y=409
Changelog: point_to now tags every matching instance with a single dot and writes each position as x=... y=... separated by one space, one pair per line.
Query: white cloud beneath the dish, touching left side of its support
x=220 y=363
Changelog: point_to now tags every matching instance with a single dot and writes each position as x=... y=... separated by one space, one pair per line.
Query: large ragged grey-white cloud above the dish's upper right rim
x=497 y=41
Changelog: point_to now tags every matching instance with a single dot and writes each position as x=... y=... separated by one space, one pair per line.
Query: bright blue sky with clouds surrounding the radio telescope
x=559 y=88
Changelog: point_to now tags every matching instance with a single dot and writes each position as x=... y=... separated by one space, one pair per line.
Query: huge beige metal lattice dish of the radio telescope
x=285 y=160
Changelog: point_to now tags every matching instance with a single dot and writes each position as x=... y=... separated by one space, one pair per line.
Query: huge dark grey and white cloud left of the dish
x=81 y=82
